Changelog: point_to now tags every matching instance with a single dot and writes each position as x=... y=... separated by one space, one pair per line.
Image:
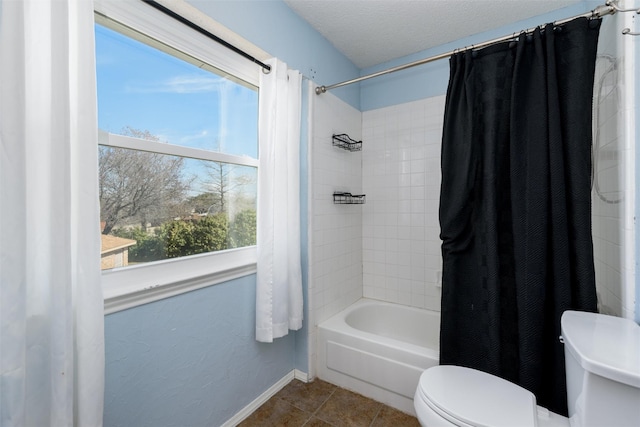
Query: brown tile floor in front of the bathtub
x=318 y=404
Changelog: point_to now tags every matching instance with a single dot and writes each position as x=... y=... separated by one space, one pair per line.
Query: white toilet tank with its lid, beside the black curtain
x=602 y=358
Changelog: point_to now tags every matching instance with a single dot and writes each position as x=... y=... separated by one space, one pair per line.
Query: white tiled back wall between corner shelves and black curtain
x=401 y=177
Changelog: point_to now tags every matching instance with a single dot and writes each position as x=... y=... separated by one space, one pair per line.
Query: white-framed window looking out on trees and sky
x=177 y=156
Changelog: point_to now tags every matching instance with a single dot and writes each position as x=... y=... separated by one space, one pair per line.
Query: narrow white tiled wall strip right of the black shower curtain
x=612 y=201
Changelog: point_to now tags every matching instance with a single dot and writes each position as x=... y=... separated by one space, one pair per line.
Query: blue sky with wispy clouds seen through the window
x=146 y=89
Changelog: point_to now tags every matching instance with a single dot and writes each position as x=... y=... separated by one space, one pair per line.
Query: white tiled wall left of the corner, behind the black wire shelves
x=335 y=255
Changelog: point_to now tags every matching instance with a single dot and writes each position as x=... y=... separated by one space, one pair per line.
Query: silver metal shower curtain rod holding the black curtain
x=607 y=9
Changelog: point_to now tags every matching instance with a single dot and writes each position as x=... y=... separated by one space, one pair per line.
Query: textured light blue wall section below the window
x=190 y=360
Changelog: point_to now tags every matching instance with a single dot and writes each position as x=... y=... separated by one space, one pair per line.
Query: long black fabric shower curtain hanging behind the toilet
x=515 y=206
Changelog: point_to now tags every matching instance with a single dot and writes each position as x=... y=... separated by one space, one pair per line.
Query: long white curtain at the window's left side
x=51 y=308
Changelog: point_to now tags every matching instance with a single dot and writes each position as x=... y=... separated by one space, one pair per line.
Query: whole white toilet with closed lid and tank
x=602 y=360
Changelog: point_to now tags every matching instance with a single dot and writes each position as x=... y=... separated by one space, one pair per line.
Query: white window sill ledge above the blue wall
x=137 y=285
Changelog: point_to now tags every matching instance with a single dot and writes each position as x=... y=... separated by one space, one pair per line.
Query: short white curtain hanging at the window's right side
x=279 y=279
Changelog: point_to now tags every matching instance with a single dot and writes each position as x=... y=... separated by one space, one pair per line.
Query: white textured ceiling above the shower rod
x=371 y=32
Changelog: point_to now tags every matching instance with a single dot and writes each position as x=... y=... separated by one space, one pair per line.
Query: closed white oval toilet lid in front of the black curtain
x=470 y=397
